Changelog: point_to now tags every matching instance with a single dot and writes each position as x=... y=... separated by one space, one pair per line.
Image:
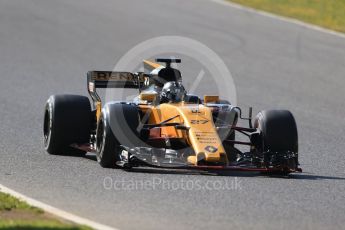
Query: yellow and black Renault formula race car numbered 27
x=165 y=127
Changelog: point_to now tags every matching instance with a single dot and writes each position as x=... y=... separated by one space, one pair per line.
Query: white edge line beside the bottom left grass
x=55 y=211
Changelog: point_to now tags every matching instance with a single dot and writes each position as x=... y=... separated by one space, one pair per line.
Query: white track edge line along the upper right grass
x=281 y=18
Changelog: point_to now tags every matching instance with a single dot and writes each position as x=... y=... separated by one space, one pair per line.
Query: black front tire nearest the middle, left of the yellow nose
x=117 y=126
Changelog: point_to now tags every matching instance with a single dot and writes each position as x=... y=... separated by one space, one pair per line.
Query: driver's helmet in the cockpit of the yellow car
x=172 y=91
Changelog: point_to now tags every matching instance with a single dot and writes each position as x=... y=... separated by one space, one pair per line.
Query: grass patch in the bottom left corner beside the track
x=18 y=215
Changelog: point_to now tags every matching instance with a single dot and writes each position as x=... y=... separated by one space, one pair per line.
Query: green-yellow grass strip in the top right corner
x=326 y=13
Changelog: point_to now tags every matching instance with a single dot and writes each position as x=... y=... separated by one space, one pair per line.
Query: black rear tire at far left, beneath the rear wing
x=67 y=121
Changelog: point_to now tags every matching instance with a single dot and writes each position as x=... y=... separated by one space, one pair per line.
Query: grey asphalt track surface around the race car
x=47 y=46
